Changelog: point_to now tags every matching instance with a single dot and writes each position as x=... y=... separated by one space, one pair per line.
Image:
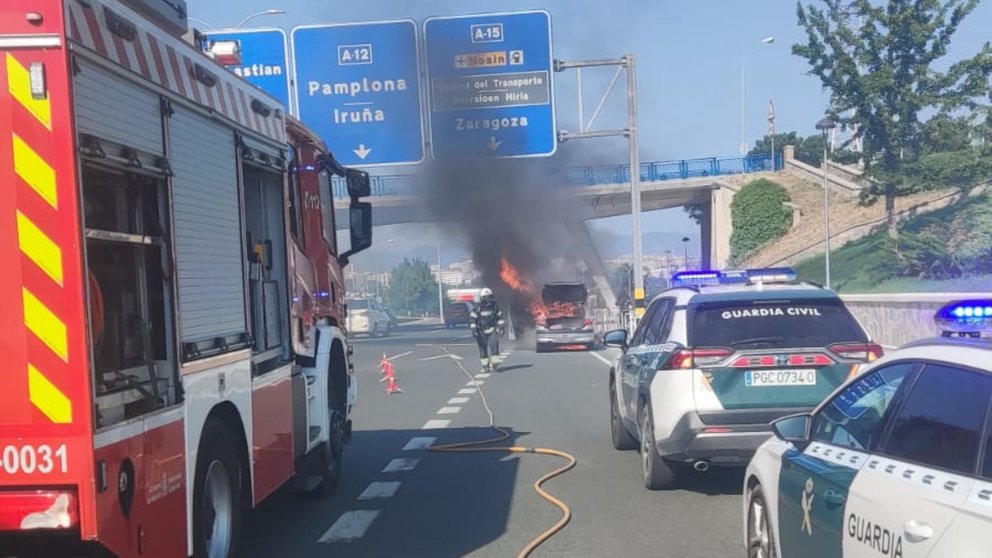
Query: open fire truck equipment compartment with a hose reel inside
x=129 y=279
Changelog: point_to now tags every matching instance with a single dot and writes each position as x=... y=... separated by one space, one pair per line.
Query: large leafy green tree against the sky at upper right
x=881 y=65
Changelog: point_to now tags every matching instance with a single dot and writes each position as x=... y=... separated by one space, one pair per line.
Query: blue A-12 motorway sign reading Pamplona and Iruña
x=357 y=86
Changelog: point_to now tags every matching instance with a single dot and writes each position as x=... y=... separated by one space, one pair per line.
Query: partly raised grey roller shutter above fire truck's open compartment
x=112 y=108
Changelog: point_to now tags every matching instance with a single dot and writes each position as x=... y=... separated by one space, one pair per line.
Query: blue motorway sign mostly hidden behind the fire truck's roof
x=263 y=59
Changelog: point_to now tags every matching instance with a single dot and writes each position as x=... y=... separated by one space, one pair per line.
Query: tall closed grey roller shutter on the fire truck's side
x=208 y=227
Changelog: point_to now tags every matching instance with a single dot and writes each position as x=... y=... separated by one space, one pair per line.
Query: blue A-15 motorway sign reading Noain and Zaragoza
x=491 y=85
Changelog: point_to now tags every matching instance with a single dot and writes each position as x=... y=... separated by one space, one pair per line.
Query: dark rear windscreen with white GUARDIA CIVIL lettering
x=749 y=324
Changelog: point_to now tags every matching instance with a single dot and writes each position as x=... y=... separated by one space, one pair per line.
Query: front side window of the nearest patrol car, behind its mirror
x=853 y=418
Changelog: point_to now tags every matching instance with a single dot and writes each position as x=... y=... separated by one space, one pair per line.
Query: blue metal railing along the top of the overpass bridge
x=400 y=184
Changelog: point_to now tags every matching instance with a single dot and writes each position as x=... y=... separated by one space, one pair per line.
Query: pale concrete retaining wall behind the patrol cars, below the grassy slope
x=896 y=319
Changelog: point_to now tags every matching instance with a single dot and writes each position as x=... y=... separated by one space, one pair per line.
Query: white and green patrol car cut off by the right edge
x=896 y=463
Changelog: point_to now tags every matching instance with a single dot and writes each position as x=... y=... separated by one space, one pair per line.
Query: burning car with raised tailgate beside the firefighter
x=563 y=322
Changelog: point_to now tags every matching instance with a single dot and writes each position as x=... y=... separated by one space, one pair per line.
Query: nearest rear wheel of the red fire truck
x=216 y=497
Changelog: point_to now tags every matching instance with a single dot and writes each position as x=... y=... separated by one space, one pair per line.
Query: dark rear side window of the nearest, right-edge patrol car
x=942 y=421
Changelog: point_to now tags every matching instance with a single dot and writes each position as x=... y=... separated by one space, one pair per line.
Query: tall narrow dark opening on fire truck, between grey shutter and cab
x=267 y=266
